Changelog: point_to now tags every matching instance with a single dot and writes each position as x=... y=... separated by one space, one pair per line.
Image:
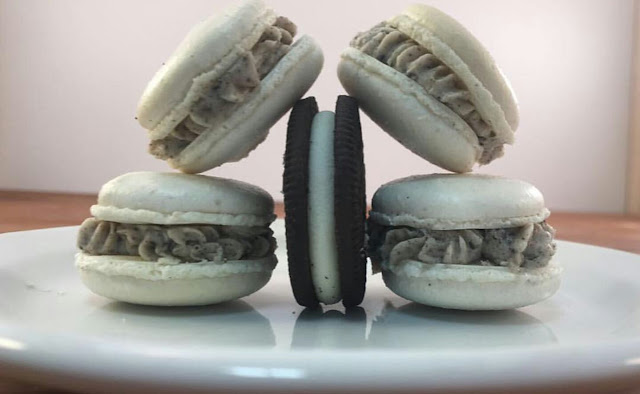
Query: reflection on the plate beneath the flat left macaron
x=230 y=324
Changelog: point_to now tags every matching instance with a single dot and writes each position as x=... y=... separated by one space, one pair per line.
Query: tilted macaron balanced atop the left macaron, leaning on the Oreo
x=228 y=82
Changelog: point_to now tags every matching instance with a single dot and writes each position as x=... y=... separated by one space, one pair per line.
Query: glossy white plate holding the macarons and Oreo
x=54 y=331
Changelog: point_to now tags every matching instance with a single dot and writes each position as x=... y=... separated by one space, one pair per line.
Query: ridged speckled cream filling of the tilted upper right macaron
x=397 y=50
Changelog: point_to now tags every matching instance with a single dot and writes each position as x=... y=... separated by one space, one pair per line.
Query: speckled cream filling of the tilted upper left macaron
x=232 y=89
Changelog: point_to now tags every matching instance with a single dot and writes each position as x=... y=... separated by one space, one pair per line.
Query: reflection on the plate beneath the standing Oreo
x=331 y=329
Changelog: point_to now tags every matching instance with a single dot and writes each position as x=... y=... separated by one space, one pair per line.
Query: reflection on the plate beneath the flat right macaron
x=419 y=326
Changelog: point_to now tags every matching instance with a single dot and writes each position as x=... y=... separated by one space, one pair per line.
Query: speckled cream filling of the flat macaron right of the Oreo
x=528 y=246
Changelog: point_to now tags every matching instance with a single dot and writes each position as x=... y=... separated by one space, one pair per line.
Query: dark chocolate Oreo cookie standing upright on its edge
x=325 y=208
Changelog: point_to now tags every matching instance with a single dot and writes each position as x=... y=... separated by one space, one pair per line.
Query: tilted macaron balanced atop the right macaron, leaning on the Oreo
x=429 y=83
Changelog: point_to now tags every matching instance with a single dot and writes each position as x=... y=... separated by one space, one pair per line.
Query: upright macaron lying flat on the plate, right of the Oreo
x=472 y=242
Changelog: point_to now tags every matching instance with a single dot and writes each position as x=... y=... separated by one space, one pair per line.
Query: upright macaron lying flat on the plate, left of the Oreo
x=177 y=239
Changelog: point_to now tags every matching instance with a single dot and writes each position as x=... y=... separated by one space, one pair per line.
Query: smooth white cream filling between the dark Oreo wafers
x=323 y=251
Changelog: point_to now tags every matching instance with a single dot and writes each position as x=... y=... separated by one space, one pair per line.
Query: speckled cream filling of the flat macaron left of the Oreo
x=179 y=243
